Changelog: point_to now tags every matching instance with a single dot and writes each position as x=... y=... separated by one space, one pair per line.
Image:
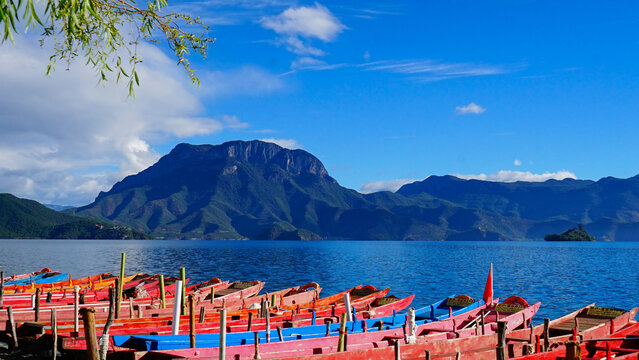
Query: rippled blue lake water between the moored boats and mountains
x=563 y=276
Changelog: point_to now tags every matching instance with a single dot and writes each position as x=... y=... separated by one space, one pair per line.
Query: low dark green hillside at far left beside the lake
x=21 y=218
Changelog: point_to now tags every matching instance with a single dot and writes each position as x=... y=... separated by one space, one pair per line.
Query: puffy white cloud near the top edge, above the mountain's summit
x=297 y=26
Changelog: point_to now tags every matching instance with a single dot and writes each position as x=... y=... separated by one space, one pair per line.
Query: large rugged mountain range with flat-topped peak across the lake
x=259 y=190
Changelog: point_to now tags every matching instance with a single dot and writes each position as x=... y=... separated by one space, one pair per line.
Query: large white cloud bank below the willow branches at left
x=64 y=138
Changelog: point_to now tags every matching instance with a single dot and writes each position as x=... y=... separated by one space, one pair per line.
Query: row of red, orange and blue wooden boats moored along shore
x=145 y=316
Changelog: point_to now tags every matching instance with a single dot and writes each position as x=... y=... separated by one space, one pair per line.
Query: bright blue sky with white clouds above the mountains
x=381 y=92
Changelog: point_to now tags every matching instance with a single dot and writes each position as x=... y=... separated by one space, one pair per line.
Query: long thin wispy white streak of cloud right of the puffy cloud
x=431 y=70
